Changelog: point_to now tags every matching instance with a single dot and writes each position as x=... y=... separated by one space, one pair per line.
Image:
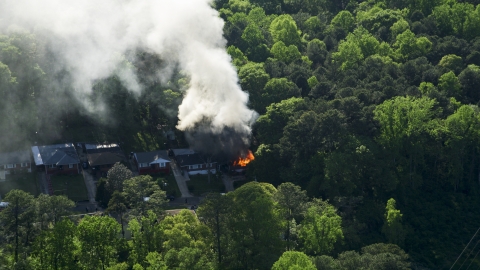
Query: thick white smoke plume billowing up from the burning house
x=89 y=39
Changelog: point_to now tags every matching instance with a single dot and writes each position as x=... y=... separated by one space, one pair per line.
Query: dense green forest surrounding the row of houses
x=366 y=148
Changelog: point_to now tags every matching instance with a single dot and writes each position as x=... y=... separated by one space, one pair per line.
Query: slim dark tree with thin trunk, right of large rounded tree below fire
x=291 y=200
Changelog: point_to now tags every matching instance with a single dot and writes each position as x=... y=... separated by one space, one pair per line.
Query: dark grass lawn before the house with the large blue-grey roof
x=71 y=185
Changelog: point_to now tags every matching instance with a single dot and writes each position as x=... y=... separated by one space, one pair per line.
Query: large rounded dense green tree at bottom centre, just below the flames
x=253 y=210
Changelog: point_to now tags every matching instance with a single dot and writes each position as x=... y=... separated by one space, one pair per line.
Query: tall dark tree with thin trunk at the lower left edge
x=17 y=218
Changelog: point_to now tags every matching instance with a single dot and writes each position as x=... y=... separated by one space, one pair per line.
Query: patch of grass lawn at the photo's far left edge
x=25 y=181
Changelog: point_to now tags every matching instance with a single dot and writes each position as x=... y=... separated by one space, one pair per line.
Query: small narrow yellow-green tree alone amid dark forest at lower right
x=393 y=228
